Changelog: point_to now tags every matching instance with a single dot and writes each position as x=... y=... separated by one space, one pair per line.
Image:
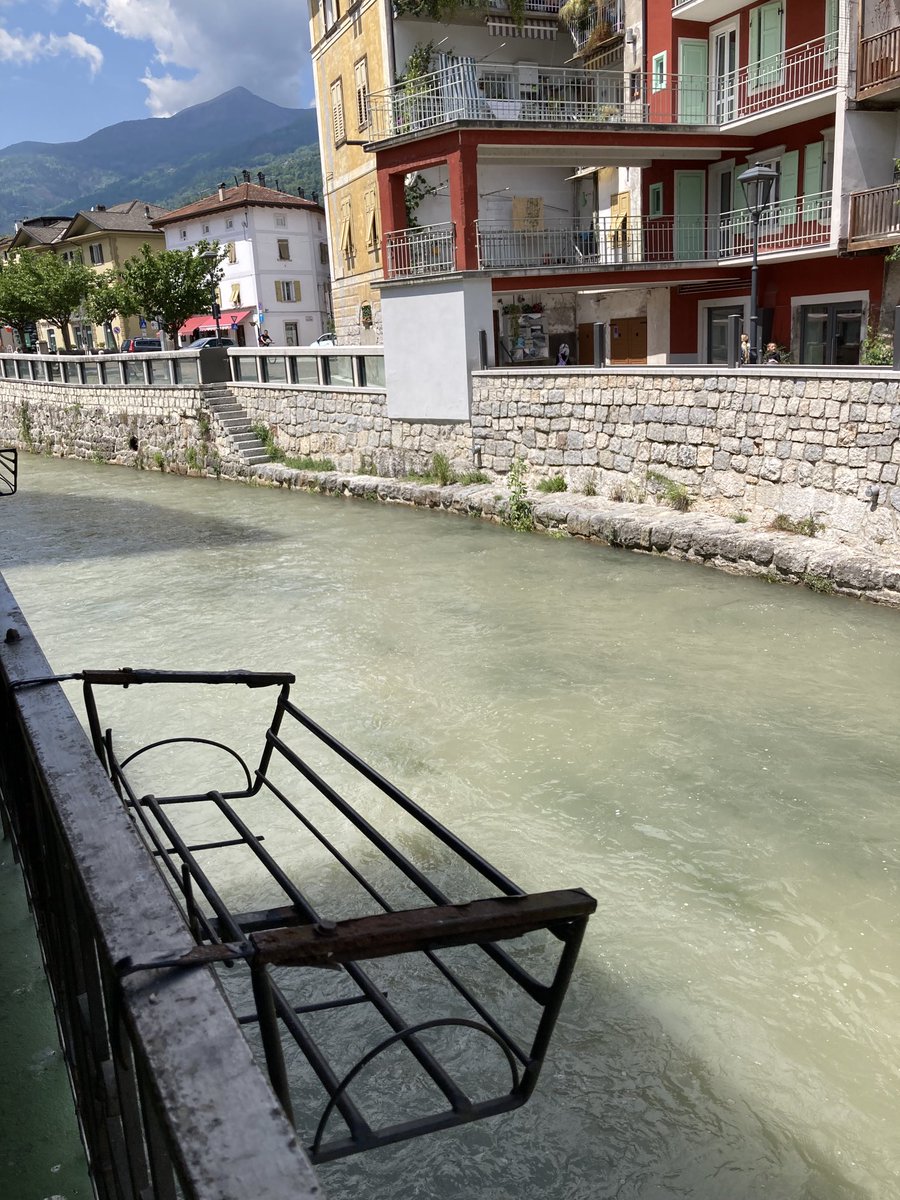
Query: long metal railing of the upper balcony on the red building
x=538 y=95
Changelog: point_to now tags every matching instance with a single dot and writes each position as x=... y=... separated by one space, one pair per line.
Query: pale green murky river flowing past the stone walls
x=715 y=759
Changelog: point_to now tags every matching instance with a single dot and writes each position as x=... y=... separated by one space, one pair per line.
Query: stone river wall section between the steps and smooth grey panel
x=353 y=429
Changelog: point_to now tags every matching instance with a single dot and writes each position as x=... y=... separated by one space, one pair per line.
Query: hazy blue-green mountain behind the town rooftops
x=164 y=160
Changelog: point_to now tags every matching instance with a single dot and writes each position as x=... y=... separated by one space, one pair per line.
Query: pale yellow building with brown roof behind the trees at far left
x=103 y=238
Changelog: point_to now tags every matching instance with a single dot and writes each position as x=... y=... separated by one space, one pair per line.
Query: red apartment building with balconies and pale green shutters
x=542 y=169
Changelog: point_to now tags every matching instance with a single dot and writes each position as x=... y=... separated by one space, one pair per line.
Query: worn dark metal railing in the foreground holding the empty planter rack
x=170 y=1100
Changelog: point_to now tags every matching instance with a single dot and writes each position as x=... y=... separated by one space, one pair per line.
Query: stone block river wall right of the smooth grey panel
x=820 y=443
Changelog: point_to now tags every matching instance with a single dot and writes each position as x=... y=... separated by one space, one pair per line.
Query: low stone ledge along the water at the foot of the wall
x=823 y=566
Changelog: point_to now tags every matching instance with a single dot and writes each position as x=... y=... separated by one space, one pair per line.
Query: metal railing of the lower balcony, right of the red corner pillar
x=790 y=225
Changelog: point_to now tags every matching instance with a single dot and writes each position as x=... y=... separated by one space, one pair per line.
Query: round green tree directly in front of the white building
x=171 y=285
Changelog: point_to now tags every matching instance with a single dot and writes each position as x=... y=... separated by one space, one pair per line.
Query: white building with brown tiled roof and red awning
x=277 y=274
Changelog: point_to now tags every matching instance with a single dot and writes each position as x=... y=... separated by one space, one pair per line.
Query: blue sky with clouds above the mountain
x=69 y=68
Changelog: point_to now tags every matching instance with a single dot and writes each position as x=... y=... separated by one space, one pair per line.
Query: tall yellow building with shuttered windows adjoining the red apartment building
x=350 y=57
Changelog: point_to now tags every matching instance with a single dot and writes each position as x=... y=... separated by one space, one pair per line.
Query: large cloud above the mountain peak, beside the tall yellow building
x=202 y=52
